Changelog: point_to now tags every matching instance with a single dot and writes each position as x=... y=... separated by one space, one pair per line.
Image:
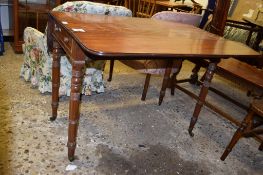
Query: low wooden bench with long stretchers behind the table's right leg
x=232 y=69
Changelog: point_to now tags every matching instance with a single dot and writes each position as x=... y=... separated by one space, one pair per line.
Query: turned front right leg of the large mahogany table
x=204 y=90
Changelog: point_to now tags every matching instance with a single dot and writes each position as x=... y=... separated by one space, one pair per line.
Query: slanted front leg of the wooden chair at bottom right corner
x=238 y=134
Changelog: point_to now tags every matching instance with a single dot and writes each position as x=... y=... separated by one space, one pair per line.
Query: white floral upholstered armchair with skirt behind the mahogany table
x=37 y=65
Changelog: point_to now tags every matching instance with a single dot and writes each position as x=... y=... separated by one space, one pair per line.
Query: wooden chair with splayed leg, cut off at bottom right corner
x=247 y=128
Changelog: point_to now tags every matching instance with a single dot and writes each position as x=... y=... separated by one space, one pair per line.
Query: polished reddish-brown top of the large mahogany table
x=108 y=36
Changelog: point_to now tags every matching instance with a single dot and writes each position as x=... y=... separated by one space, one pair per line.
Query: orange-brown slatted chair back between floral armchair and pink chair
x=146 y=8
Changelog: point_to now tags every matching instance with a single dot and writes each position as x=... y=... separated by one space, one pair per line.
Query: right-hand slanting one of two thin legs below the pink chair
x=165 y=81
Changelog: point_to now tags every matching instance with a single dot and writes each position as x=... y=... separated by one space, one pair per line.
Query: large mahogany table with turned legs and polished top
x=86 y=37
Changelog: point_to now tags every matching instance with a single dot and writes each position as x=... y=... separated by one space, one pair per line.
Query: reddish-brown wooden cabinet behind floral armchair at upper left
x=29 y=14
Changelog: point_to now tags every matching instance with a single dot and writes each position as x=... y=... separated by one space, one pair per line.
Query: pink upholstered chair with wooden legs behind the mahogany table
x=160 y=67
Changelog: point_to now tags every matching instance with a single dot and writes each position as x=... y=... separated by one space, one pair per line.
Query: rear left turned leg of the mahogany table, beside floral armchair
x=57 y=50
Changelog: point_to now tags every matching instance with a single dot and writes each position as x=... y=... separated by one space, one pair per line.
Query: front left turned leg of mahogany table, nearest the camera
x=76 y=82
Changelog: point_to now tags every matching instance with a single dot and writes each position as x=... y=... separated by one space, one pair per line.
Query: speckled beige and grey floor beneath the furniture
x=118 y=133
